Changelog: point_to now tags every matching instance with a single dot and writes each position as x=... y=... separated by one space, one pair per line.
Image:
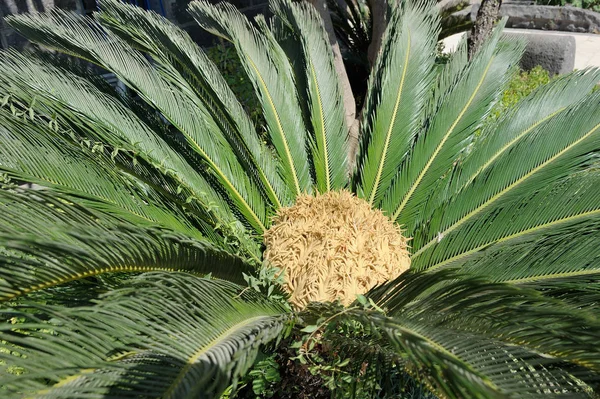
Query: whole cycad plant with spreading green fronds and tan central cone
x=145 y=259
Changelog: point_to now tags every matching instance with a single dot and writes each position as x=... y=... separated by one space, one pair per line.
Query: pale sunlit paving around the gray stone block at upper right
x=587 y=45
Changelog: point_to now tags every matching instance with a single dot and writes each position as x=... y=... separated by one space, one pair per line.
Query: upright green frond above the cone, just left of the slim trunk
x=329 y=130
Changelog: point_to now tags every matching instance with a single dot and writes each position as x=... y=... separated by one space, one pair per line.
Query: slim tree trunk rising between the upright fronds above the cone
x=340 y=69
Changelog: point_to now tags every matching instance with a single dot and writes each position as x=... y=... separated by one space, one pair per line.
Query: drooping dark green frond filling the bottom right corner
x=472 y=338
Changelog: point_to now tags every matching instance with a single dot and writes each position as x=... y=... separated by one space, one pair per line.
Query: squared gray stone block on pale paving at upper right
x=554 y=53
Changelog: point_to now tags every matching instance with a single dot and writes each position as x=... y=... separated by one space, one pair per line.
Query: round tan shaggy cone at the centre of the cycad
x=334 y=246
